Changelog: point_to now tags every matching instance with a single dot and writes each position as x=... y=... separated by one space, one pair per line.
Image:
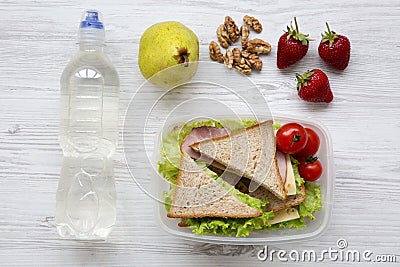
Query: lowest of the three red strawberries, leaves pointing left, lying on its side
x=313 y=86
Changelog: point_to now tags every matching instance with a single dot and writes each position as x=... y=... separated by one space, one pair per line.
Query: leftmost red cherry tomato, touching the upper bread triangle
x=291 y=138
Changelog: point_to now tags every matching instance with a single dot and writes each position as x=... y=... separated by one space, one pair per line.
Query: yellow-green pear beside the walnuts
x=168 y=54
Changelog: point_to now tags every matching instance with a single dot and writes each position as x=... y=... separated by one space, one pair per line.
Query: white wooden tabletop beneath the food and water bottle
x=37 y=39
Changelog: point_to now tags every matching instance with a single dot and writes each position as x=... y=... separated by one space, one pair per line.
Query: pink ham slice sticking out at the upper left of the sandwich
x=201 y=134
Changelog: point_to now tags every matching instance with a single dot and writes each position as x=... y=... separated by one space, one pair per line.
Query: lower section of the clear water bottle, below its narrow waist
x=86 y=198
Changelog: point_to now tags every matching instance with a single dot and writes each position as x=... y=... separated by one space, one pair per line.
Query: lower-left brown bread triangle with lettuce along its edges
x=198 y=195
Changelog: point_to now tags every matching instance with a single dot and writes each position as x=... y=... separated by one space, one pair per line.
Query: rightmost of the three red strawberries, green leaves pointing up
x=334 y=49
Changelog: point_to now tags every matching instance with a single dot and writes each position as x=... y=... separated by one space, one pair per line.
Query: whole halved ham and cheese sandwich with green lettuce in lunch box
x=258 y=188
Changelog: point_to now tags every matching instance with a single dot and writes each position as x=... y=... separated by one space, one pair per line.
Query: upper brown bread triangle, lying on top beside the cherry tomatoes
x=249 y=153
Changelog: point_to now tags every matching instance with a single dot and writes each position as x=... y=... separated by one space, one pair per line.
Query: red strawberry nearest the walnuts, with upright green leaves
x=292 y=46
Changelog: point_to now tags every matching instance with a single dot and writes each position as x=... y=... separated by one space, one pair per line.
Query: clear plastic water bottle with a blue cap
x=88 y=135
